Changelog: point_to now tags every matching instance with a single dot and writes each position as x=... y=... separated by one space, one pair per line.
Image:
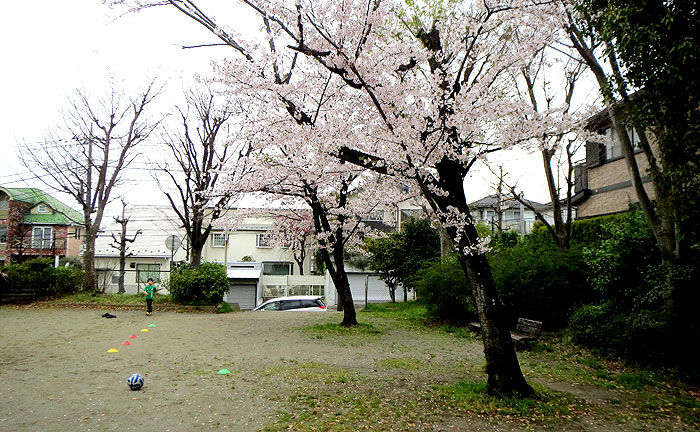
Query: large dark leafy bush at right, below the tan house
x=629 y=317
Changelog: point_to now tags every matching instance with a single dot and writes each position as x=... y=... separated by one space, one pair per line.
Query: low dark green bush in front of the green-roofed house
x=40 y=275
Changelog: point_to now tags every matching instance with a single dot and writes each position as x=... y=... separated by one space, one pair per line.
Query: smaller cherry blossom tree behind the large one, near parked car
x=289 y=163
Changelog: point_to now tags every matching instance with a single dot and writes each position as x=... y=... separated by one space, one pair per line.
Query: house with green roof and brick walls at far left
x=34 y=224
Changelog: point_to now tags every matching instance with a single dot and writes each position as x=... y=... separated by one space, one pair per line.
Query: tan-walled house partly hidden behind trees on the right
x=602 y=181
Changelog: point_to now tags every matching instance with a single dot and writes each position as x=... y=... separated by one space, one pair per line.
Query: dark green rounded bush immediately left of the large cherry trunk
x=445 y=291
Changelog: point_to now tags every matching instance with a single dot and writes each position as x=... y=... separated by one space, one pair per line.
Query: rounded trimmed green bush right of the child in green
x=203 y=286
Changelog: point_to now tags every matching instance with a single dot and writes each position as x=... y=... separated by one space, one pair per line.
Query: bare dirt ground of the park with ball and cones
x=56 y=373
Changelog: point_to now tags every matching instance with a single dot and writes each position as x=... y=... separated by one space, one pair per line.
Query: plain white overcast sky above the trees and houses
x=51 y=48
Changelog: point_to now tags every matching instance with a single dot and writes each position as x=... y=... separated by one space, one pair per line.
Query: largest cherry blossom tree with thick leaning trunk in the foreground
x=415 y=92
